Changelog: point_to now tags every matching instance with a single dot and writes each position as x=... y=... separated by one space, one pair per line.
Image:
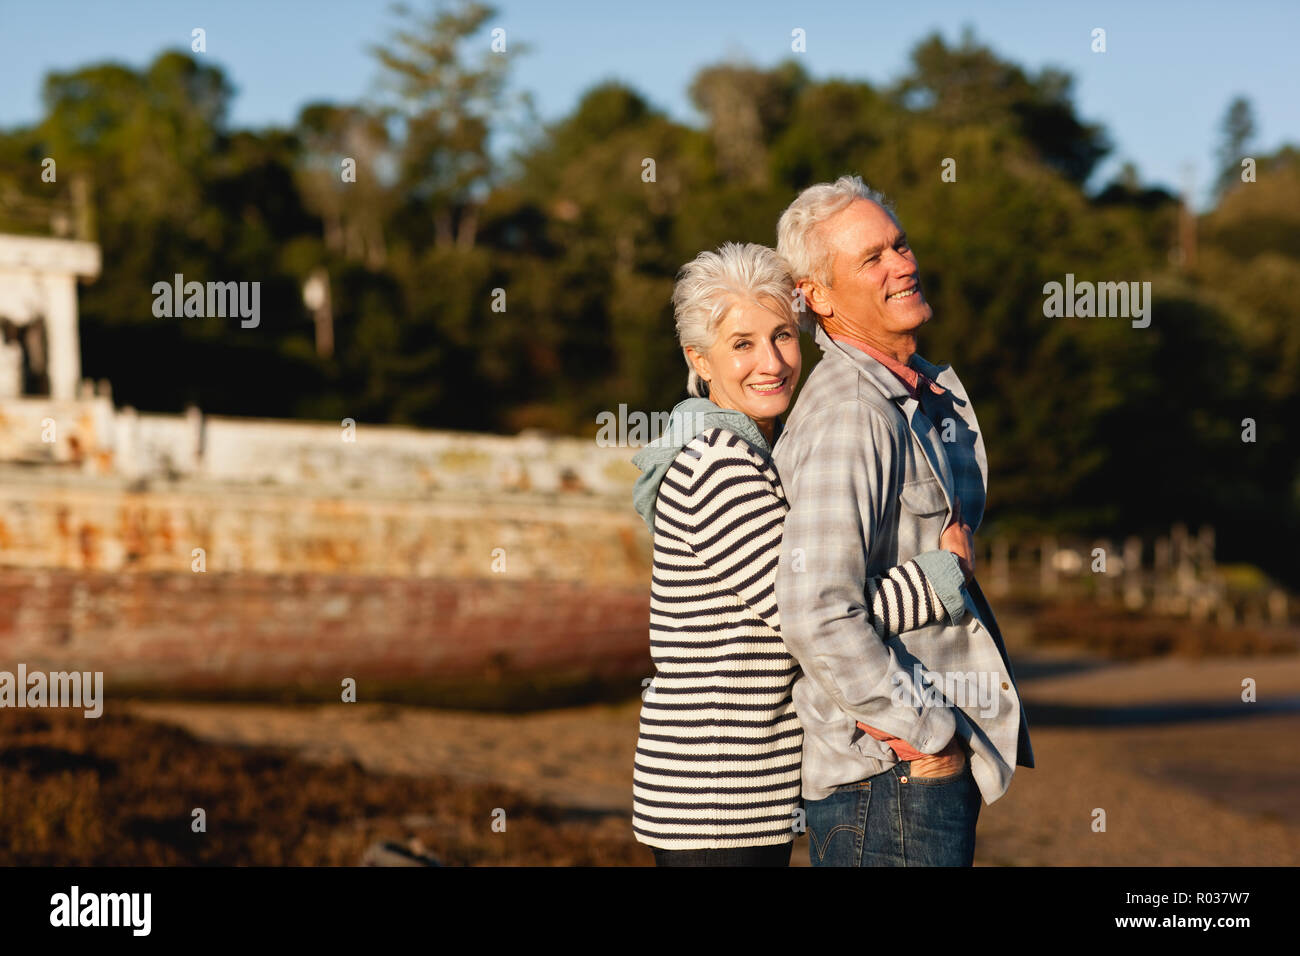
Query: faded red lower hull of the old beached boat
x=489 y=642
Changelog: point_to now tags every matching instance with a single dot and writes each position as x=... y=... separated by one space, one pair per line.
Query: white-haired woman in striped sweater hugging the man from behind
x=717 y=771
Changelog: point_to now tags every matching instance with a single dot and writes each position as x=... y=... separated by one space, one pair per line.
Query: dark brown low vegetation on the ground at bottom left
x=122 y=791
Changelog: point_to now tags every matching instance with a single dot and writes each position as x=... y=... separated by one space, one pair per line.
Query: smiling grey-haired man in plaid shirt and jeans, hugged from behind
x=879 y=458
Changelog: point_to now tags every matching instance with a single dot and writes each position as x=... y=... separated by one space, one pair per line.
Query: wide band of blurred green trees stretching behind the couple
x=475 y=295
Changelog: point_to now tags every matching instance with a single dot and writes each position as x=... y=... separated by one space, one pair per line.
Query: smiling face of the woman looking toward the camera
x=753 y=365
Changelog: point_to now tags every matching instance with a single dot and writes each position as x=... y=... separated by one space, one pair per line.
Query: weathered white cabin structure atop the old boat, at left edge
x=38 y=288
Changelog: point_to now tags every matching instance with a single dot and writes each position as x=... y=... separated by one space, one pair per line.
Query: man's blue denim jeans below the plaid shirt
x=896 y=820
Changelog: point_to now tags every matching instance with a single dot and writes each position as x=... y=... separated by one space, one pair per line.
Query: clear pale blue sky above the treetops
x=1160 y=89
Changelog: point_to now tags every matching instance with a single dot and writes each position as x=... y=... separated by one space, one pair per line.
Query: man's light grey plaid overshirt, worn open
x=872 y=481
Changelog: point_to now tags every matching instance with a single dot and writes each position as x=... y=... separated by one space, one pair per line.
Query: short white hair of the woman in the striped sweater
x=710 y=284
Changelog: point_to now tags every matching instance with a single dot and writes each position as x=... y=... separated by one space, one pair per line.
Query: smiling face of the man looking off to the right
x=876 y=287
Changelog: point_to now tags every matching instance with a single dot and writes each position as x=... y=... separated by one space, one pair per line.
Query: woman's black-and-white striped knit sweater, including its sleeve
x=718 y=755
